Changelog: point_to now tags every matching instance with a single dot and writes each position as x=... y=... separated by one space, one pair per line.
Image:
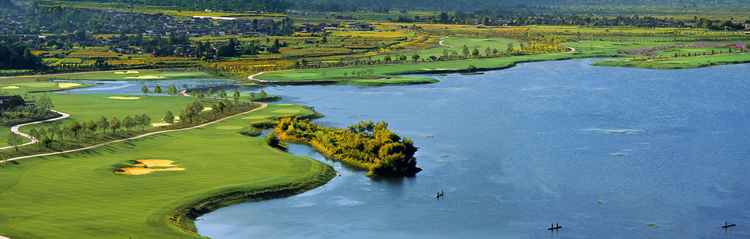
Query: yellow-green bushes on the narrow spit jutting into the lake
x=366 y=144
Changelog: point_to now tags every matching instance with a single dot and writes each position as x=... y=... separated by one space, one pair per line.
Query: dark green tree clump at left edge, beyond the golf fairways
x=18 y=56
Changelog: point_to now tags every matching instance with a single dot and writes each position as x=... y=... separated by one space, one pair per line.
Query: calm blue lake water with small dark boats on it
x=602 y=151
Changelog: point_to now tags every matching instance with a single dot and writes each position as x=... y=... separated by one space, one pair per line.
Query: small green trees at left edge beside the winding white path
x=17 y=111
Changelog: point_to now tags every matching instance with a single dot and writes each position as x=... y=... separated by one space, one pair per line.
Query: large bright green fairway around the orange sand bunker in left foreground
x=76 y=195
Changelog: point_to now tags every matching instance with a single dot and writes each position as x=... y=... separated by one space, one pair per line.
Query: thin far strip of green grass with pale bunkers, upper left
x=112 y=75
